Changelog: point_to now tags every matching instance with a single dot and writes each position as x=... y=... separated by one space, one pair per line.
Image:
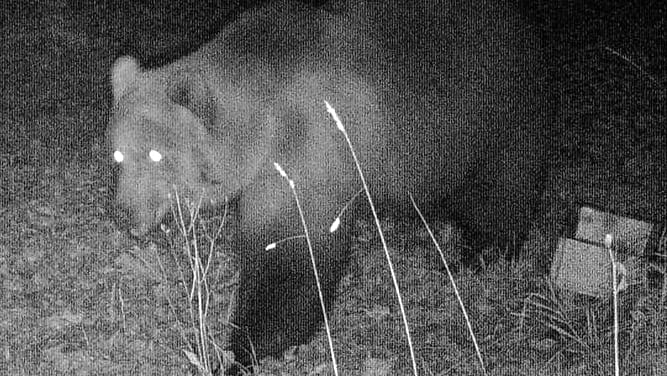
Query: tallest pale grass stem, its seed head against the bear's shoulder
x=340 y=126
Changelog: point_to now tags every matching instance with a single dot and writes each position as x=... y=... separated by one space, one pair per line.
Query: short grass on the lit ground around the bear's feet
x=84 y=285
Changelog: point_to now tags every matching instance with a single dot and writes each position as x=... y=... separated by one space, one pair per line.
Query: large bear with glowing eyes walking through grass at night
x=440 y=100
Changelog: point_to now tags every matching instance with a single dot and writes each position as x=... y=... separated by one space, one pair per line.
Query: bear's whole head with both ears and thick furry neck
x=172 y=135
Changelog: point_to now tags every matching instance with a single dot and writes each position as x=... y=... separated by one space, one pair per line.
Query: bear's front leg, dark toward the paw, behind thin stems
x=278 y=303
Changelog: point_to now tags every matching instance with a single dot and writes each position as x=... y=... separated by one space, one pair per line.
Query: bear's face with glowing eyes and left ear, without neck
x=151 y=137
